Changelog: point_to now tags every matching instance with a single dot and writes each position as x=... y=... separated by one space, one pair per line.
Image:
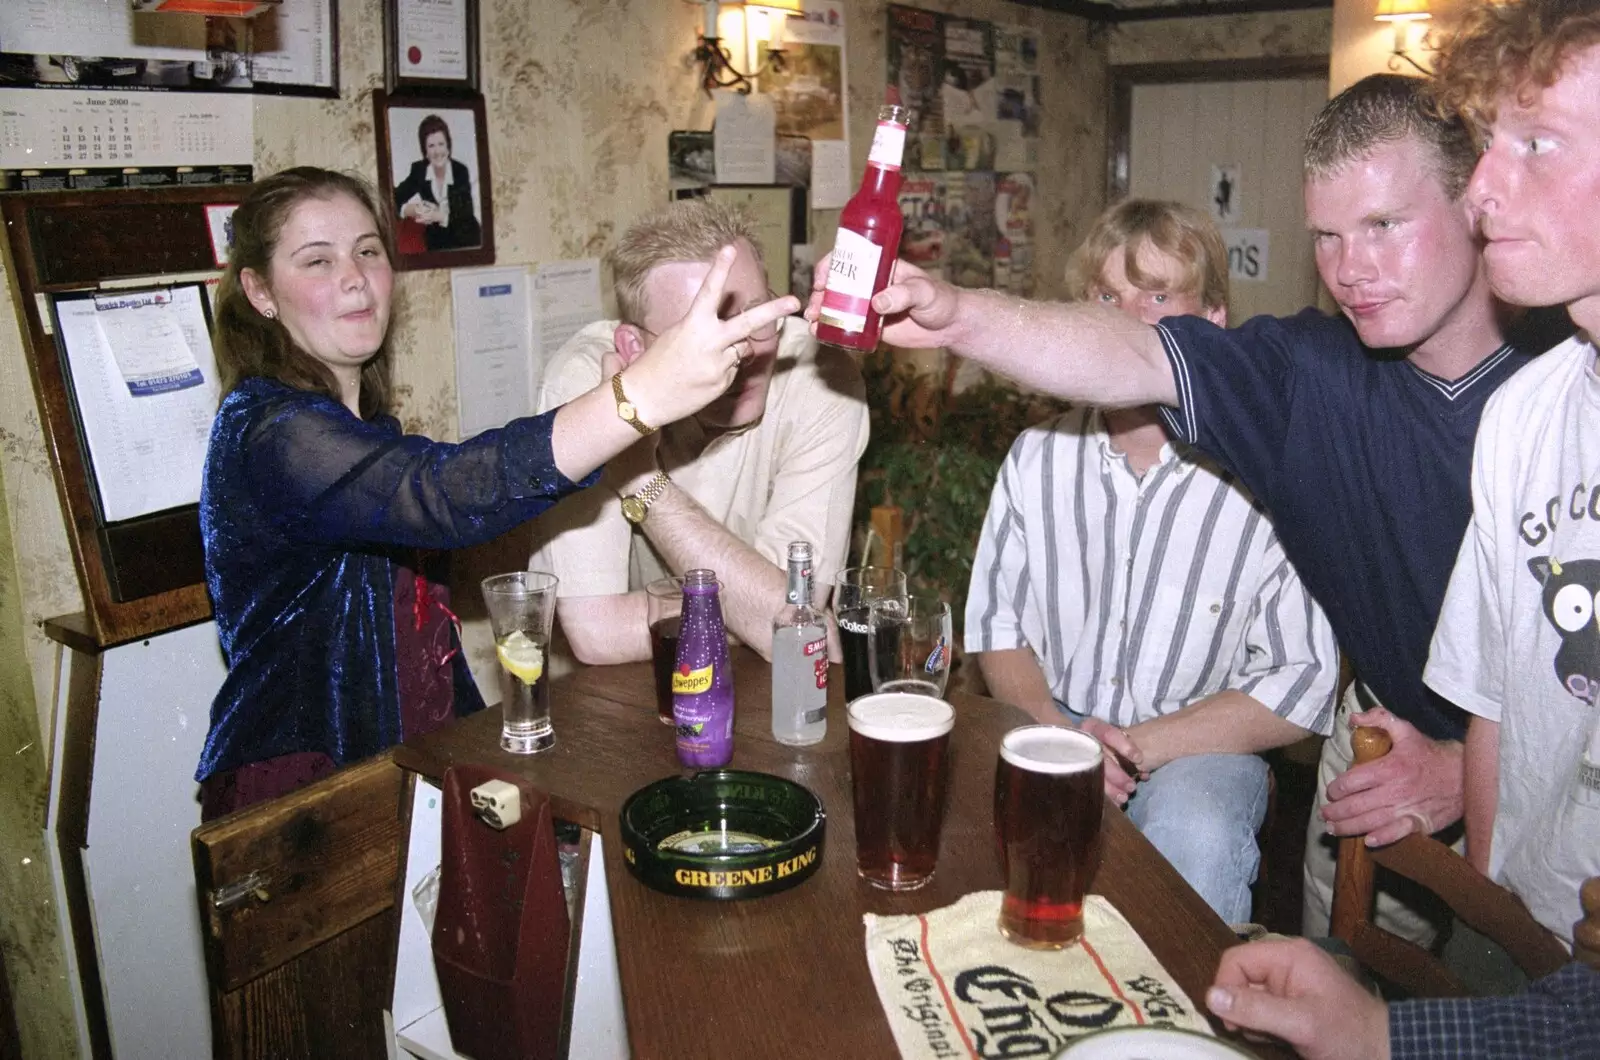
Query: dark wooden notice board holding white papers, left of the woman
x=110 y=291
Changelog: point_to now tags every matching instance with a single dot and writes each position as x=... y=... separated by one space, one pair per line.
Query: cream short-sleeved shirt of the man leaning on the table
x=790 y=478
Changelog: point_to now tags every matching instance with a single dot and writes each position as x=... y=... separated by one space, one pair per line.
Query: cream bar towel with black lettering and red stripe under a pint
x=954 y=987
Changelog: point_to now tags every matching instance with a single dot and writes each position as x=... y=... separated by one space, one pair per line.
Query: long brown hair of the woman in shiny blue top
x=249 y=345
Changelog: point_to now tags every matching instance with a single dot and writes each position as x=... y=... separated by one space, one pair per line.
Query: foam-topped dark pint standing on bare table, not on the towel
x=900 y=752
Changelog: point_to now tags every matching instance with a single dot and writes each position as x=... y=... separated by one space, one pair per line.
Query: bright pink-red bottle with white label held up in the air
x=868 y=243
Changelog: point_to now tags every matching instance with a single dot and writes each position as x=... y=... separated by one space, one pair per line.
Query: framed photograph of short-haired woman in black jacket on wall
x=434 y=179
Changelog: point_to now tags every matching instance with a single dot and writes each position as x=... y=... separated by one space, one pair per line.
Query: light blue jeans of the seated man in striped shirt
x=1202 y=814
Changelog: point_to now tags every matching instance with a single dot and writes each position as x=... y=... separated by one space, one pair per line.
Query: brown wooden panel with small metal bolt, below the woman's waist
x=297 y=909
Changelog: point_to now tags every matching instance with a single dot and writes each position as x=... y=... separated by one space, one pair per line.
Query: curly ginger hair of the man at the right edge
x=1503 y=49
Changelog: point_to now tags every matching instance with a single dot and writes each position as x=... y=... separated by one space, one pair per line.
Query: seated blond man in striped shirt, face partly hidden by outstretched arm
x=1127 y=585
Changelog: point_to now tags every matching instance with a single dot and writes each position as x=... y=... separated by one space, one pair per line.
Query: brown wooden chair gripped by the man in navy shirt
x=1473 y=897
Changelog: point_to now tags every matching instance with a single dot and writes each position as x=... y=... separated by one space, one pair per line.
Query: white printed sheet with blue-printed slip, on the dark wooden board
x=145 y=385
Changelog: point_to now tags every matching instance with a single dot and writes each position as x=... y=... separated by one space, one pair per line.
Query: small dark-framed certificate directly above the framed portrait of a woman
x=431 y=47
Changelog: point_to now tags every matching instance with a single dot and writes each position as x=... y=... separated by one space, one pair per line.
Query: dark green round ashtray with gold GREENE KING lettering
x=724 y=835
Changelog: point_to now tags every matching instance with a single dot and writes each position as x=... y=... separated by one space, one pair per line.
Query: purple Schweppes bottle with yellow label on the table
x=703 y=681
